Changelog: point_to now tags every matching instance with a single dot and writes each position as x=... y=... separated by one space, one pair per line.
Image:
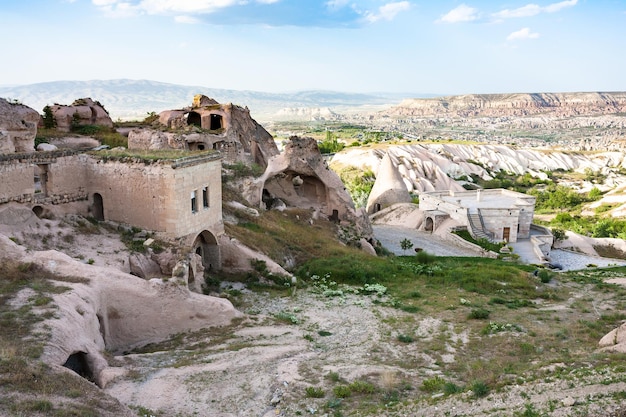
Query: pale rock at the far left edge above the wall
x=18 y=127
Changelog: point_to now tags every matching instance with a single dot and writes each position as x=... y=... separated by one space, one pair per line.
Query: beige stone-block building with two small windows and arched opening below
x=178 y=199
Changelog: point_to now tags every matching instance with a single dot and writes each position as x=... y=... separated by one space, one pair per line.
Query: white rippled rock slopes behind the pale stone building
x=439 y=167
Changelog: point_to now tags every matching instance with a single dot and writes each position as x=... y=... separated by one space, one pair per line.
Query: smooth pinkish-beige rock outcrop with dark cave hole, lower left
x=107 y=309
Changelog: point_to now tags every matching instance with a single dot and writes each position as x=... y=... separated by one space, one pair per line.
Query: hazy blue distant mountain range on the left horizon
x=134 y=99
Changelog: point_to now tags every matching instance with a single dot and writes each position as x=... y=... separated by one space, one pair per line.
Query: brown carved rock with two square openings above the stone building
x=209 y=125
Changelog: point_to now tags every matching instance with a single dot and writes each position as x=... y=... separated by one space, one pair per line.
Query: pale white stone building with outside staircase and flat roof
x=497 y=215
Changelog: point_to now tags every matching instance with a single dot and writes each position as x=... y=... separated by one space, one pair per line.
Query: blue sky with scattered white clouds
x=362 y=46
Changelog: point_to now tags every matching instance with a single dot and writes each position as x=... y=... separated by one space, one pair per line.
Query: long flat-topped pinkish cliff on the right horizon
x=521 y=104
